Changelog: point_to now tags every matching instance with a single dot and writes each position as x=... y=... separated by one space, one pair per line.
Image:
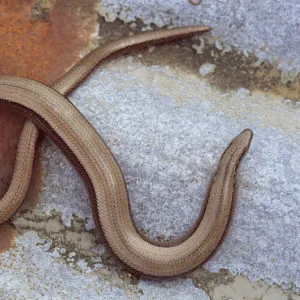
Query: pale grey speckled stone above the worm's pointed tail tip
x=269 y=29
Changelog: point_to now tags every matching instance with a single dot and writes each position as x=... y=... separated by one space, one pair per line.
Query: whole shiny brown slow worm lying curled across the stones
x=51 y=112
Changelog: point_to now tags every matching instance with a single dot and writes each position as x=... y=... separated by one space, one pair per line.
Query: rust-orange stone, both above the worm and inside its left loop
x=39 y=39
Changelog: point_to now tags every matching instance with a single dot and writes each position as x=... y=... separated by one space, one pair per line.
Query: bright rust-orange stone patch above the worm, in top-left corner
x=40 y=49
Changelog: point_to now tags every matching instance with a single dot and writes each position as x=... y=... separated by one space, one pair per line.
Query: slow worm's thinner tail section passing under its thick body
x=19 y=184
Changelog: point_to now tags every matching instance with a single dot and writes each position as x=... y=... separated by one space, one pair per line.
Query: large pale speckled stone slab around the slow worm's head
x=168 y=140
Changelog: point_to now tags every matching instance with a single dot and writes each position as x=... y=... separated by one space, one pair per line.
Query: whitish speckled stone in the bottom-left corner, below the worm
x=31 y=271
